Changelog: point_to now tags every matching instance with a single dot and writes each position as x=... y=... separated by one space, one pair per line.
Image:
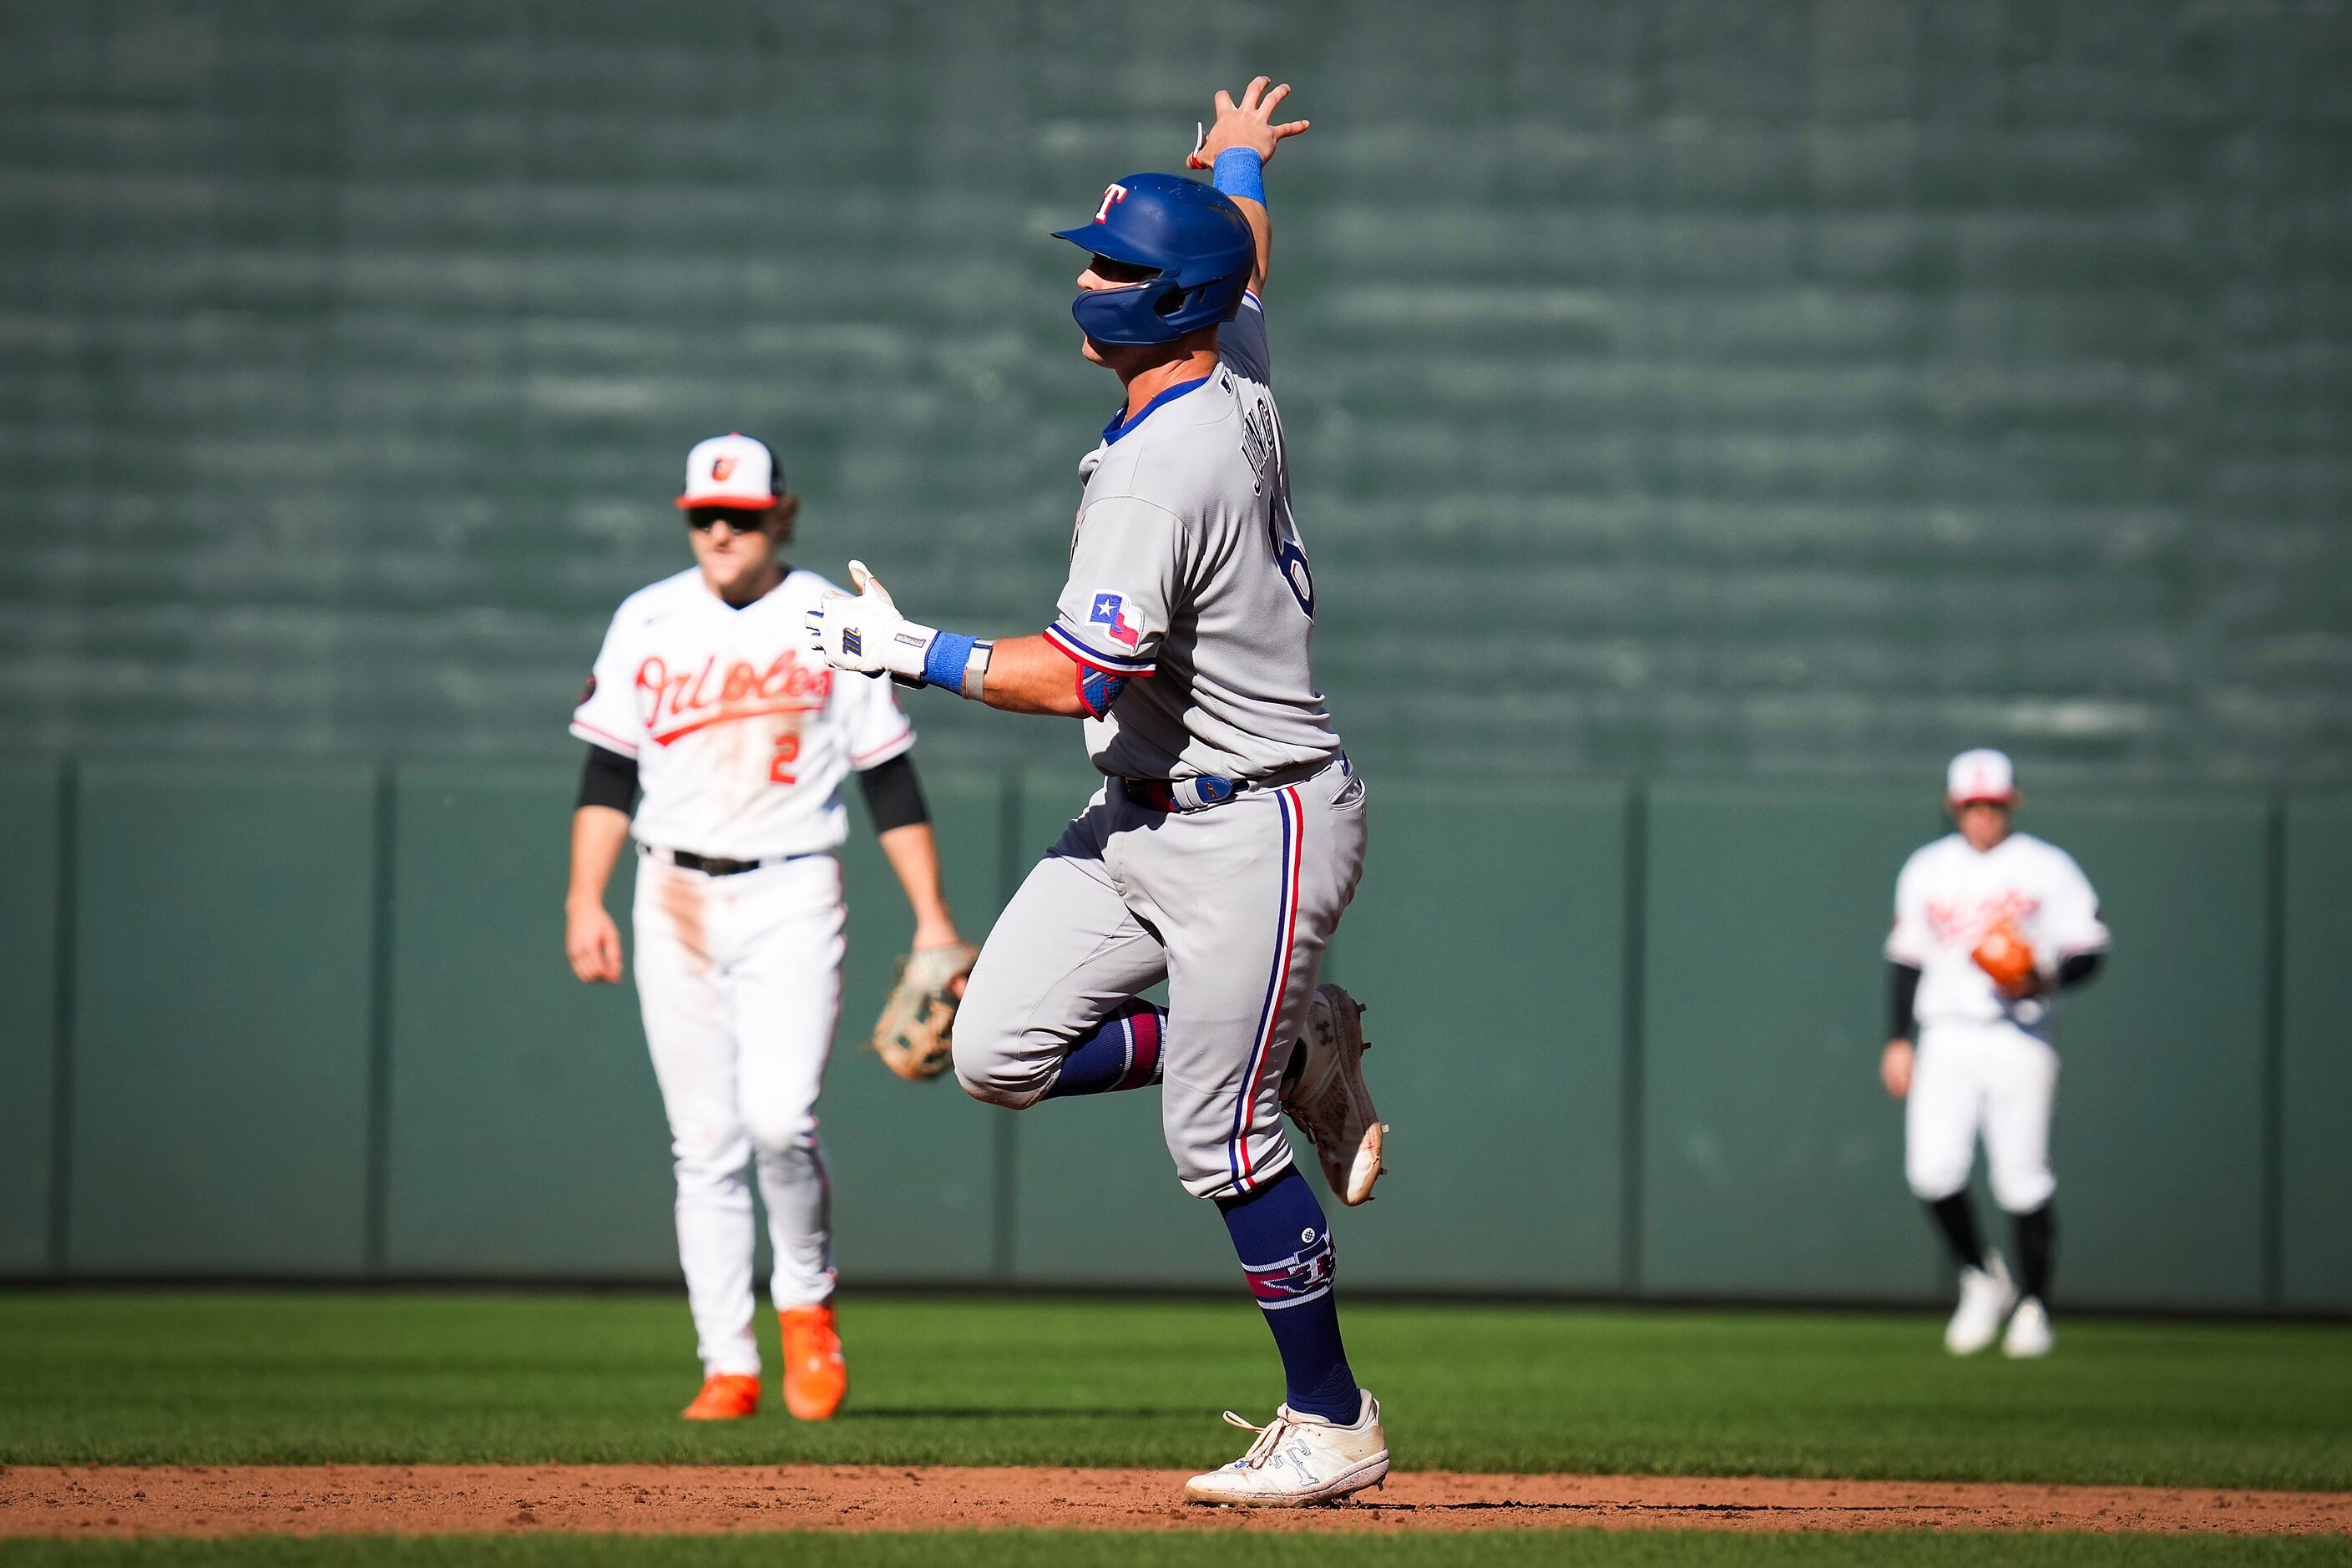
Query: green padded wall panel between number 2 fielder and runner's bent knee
x=914 y=1165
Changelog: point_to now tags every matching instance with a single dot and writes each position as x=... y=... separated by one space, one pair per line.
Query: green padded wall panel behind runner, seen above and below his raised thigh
x=1095 y=1195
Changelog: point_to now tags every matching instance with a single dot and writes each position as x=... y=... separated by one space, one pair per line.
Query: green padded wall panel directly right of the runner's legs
x=1488 y=942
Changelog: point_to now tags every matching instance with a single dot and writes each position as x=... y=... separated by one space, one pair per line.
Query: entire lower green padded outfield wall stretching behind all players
x=312 y=1021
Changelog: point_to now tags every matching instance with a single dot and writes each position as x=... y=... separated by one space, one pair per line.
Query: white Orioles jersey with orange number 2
x=740 y=732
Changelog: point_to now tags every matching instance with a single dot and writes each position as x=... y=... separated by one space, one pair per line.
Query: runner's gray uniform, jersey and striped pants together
x=1187 y=584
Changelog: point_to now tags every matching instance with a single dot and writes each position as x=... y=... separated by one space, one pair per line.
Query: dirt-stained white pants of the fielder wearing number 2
x=740 y=981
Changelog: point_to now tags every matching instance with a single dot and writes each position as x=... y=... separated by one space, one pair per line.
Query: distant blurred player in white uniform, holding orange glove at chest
x=1991 y=925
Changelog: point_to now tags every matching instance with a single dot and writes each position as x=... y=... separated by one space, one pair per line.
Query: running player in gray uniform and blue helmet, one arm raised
x=1229 y=833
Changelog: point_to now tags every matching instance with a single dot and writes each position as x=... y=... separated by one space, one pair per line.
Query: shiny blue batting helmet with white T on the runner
x=1191 y=234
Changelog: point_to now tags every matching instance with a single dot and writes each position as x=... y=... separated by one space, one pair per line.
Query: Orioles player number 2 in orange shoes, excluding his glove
x=709 y=702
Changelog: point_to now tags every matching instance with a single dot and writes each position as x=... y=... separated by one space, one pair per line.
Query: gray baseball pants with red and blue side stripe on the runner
x=1231 y=906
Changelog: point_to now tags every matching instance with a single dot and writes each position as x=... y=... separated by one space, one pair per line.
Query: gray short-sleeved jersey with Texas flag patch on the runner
x=1189 y=577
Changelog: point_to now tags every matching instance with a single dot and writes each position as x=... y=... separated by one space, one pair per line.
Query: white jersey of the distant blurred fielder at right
x=1951 y=894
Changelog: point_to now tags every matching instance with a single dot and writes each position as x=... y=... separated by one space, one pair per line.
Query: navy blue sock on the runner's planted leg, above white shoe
x=1288 y=1254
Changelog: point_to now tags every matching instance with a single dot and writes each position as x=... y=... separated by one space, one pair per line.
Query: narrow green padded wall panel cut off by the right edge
x=2316 y=1106
